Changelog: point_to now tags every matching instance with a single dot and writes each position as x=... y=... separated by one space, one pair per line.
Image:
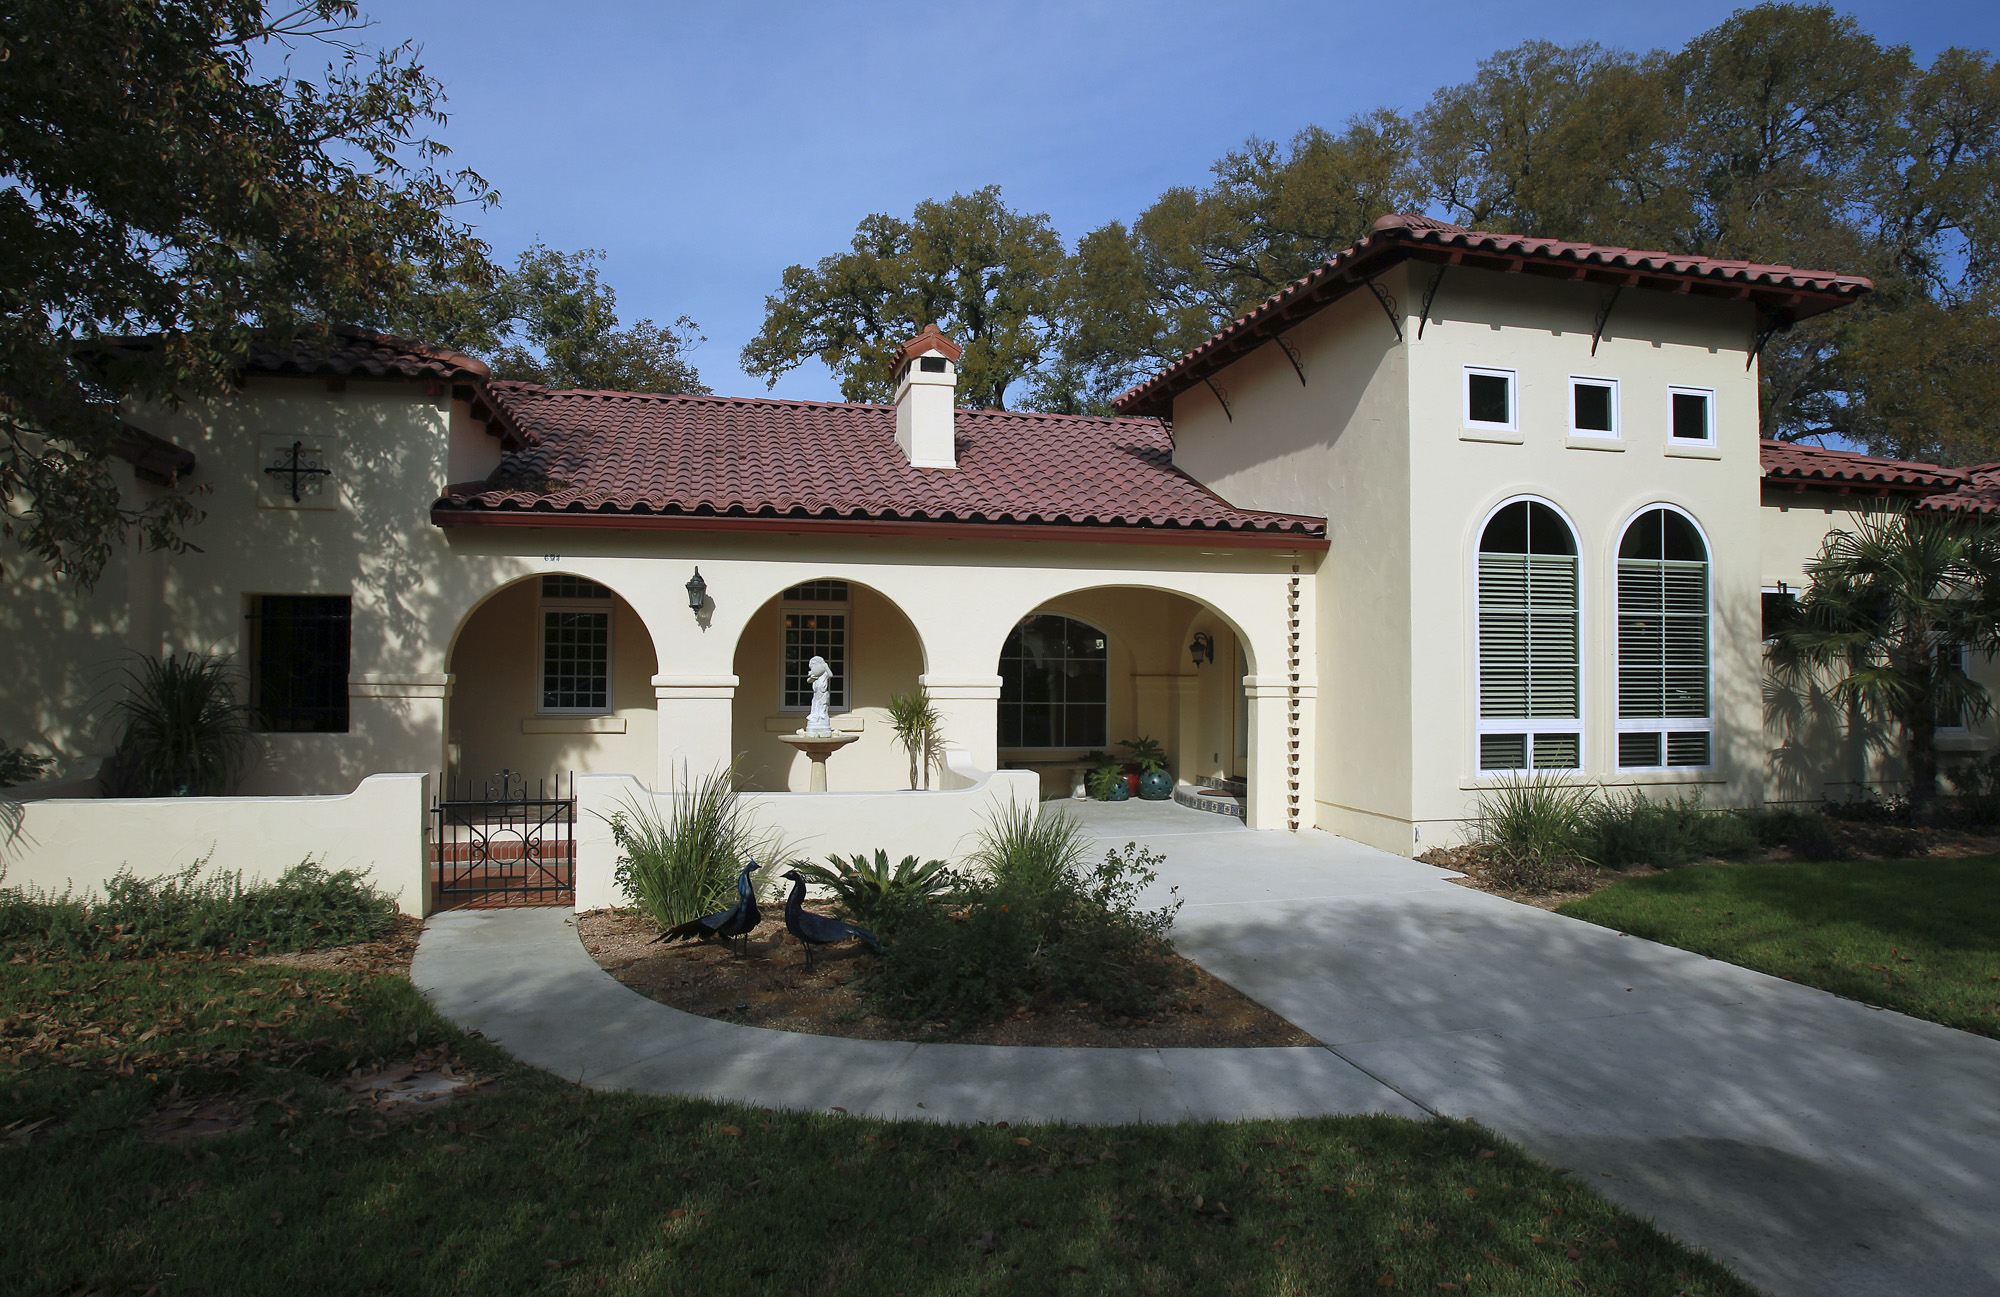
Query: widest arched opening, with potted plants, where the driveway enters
x=1097 y=668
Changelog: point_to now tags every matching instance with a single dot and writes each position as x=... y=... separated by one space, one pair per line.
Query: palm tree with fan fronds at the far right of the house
x=1895 y=605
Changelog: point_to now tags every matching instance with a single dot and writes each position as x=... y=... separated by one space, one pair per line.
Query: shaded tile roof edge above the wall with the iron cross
x=361 y=353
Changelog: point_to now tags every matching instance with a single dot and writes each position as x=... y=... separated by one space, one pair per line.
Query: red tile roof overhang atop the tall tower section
x=1783 y=295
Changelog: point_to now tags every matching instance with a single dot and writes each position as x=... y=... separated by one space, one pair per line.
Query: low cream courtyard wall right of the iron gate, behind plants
x=933 y=826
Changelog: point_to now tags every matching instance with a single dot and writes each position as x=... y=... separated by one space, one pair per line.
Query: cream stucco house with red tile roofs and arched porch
x=1453 y=507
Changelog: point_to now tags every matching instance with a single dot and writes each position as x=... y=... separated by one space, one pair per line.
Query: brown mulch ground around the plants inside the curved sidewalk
x=779 y=988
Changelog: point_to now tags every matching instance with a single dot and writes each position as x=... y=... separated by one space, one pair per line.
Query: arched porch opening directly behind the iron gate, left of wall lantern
x=553 y=676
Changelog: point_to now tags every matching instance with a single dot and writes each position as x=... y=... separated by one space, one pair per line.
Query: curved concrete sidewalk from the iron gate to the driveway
x=523 y=980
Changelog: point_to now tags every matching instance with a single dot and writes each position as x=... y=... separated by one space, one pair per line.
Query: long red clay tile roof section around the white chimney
x=639 y=457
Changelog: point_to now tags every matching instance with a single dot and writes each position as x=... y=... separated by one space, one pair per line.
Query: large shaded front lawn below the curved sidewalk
x=545 y=1188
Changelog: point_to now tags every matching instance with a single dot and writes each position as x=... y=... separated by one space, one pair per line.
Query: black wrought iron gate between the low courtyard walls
x=493 y=844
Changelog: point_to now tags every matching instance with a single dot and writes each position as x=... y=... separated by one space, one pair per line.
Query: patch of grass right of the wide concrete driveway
x=1921 y=938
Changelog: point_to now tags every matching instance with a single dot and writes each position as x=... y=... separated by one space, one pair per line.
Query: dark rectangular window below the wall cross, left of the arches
x=299 y=662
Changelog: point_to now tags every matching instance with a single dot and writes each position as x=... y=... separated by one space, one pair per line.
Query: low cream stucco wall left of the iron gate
x=79 y=844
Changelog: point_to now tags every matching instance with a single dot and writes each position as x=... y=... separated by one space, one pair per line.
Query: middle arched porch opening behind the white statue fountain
x=875 y=654
